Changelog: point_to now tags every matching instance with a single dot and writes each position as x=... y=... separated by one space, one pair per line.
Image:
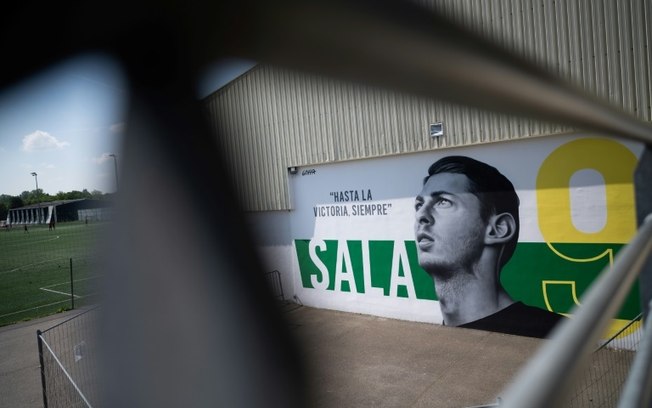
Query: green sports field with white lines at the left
x=35 y=269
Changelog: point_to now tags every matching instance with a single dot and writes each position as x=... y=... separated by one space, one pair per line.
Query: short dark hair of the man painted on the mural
x=495 y=192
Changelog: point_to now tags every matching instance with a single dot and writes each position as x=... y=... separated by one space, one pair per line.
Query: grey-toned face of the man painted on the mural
x=448 y=227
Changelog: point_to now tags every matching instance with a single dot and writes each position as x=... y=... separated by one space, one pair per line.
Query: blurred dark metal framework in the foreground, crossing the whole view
x=207 y=332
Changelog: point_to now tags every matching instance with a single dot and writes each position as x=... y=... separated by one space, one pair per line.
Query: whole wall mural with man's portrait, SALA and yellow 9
x=503 y=237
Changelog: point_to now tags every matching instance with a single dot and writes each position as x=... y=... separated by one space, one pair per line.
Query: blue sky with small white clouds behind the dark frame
x=65 y=123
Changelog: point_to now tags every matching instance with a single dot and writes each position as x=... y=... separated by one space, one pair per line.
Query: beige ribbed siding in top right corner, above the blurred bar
x=602 y=46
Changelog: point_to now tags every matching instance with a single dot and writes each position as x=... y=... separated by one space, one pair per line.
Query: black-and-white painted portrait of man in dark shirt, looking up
x=466 y=230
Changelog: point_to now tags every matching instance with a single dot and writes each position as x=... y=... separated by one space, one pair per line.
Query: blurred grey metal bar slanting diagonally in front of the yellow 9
x=547 y=377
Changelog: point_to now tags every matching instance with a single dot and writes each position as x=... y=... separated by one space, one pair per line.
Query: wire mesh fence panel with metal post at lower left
x=69 y=359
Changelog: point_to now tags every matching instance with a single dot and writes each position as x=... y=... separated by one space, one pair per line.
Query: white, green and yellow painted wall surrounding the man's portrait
x=575 y=191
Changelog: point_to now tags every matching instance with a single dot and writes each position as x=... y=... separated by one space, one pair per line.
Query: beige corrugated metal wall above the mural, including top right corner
x=270 y=119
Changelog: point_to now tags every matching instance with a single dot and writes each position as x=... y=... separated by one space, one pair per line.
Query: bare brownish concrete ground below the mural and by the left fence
x=354 y=361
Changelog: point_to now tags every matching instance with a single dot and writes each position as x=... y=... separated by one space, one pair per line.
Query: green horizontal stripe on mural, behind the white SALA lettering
x=547 y=276
